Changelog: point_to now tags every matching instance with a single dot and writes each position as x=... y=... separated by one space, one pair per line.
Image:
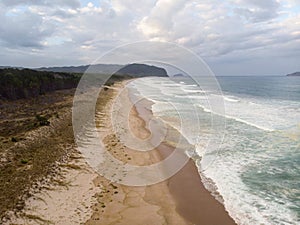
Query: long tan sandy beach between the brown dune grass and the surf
x=88 y=198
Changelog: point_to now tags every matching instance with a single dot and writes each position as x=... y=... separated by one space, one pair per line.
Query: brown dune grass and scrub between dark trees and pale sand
x=41 y=151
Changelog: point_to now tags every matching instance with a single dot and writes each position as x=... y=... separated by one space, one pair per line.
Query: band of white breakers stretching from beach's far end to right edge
x=268 y=116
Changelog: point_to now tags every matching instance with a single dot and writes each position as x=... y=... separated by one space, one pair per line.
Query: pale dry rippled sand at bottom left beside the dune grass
x=67 y=199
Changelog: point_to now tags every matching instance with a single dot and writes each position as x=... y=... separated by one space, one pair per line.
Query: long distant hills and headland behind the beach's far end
x=135 y=70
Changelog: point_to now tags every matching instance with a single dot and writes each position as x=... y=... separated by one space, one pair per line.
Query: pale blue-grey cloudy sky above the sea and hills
x=234 y=37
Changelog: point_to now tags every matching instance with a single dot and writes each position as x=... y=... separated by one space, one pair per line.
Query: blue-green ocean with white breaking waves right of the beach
x=248 y=156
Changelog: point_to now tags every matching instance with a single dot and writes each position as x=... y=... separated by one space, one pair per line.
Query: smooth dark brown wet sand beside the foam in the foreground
x=193 y=201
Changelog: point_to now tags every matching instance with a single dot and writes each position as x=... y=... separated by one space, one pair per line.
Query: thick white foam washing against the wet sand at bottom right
x=245 y=207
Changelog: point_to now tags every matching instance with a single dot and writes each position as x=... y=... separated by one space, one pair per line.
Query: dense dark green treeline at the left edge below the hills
x=27 y=83
